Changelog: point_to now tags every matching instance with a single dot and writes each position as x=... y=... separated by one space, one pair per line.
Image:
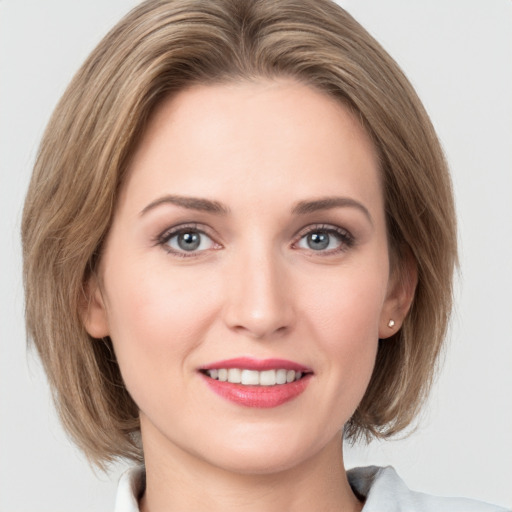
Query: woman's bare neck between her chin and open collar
x=181 y=481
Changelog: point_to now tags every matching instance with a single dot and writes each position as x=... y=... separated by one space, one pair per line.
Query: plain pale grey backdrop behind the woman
x=458 y=54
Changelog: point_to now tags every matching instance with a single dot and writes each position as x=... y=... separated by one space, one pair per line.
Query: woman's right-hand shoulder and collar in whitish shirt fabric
x=385 y=491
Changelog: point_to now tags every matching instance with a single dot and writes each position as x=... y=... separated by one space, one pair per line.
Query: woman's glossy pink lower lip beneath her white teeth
x=262 y=397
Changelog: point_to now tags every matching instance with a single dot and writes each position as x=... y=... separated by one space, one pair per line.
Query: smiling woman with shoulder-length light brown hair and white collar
x=242 y=217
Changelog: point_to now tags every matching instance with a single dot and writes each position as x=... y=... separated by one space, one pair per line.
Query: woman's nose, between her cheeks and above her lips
x=259 y=299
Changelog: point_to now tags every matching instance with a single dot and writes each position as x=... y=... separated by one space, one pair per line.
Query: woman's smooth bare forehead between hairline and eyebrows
x=263 y=137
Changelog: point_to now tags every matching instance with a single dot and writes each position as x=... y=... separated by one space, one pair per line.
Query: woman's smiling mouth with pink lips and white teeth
x=257 y=383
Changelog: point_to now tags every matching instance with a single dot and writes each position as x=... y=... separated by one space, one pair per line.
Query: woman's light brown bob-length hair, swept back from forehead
x=159 y=48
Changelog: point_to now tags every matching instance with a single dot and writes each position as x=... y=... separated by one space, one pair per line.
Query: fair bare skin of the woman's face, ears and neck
x=254 y=288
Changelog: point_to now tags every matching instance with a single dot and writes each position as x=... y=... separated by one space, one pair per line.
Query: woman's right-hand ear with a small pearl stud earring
x=401 y=289
